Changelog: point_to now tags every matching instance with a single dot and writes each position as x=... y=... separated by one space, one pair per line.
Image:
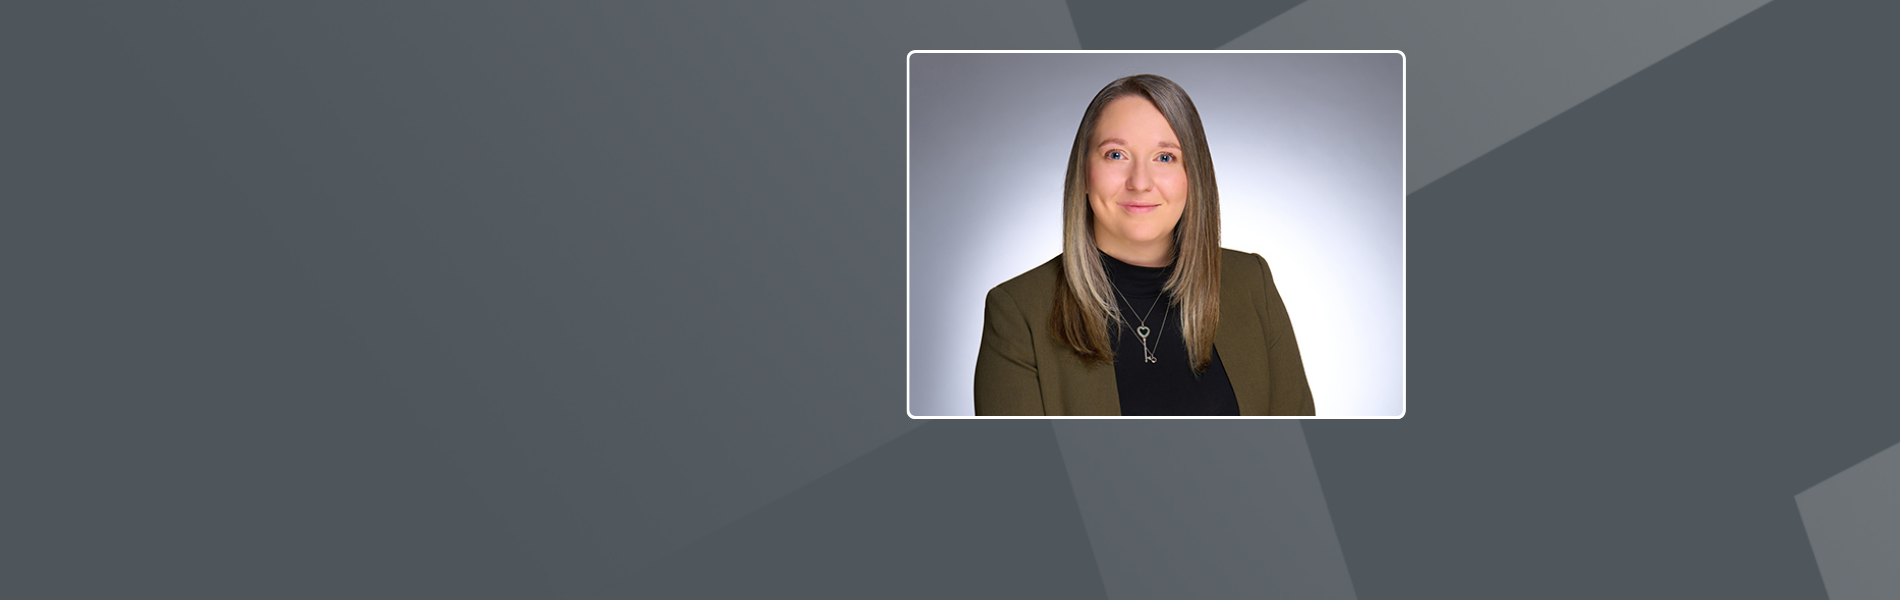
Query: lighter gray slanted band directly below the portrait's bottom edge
x=1204 y=510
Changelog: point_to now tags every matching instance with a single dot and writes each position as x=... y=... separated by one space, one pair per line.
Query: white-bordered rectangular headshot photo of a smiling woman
x=1156 y=234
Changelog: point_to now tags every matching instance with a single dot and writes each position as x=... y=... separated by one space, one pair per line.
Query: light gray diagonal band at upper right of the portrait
x=1485 y=71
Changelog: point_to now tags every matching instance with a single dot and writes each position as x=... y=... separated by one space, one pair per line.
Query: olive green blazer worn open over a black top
x=1023 y=369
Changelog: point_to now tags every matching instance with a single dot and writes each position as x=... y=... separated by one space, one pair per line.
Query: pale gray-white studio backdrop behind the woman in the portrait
x=1308 y=151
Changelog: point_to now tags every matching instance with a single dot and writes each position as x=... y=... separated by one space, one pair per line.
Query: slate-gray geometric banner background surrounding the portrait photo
x=580 y=301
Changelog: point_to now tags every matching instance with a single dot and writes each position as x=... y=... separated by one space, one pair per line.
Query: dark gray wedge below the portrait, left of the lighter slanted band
x=953 y=510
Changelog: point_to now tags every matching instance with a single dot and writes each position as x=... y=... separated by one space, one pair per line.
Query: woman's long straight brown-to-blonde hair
x=1086 y=305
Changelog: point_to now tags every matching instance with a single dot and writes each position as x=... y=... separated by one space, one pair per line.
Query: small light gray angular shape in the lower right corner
x=1853 y=525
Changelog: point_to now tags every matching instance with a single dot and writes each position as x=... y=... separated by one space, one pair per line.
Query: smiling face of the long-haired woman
x=1137 y=183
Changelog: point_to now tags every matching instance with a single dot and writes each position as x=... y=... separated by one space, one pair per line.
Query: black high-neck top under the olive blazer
x=1168 y=386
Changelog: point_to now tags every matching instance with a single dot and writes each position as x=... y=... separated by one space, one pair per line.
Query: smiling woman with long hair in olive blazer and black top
x=1145 y=312
